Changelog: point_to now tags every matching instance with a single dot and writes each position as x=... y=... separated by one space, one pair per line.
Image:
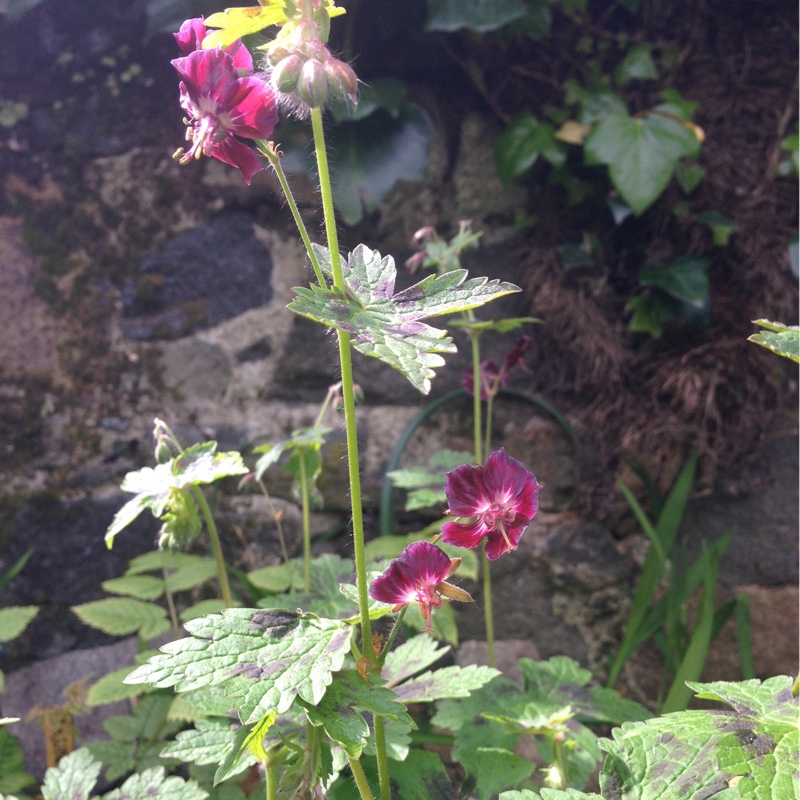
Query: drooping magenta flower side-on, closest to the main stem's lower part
x=419 y=575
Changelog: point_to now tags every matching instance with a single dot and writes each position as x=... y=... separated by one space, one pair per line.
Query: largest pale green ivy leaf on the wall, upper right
x=641 y=153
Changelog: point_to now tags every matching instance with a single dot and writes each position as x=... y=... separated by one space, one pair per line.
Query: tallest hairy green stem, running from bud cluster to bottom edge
x=348 y=402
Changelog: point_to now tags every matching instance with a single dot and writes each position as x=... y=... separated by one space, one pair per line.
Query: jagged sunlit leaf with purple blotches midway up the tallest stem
x=389 y=326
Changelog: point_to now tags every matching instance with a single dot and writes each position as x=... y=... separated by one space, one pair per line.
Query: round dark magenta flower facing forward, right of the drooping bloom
x=502 y=499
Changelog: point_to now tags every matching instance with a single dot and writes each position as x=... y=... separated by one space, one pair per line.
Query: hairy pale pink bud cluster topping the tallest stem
x=303 y=66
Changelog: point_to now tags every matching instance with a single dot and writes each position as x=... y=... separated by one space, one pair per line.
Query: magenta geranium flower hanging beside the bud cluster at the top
x=221 y=104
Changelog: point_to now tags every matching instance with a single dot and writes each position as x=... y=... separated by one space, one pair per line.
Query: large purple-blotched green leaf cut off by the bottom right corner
x=752 y=745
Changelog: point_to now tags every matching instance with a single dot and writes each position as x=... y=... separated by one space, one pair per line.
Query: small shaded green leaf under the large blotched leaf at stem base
x=336 y=712
